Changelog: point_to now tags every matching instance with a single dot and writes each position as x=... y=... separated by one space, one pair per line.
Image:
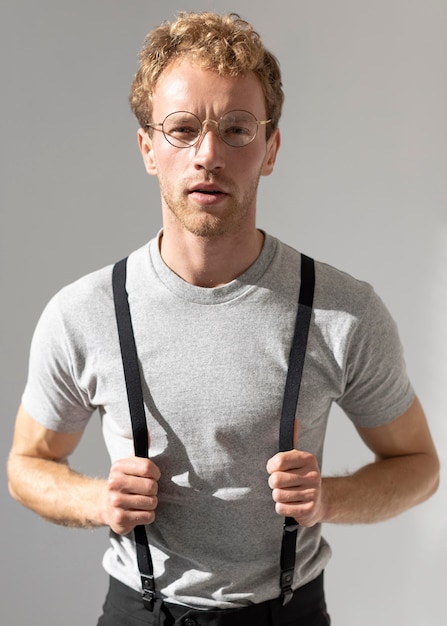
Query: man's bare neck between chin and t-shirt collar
x=210 y=262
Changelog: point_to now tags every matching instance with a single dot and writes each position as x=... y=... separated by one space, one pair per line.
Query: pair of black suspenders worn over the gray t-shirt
x=139 y=424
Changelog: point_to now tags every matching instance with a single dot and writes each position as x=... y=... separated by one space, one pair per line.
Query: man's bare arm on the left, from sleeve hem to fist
x=41 y=479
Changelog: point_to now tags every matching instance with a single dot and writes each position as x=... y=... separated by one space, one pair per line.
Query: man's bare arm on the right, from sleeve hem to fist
x=404 y=474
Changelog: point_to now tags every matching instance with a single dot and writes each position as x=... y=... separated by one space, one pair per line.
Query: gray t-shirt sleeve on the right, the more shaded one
x=377 y=388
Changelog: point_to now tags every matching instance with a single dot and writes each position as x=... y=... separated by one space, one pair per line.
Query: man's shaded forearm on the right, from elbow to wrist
x=380 y=490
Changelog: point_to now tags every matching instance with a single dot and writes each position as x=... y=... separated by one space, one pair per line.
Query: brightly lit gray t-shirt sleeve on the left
x=54 y=395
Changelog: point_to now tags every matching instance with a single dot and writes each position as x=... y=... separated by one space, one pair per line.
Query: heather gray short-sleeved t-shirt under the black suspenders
x=214 y=363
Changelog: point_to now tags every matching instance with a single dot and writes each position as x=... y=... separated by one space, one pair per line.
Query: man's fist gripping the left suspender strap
x=132 y=489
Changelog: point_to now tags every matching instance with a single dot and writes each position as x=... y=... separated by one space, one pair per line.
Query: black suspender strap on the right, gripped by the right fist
x=292 y=389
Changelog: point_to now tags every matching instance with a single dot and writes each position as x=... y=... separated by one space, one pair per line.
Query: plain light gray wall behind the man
x=360 y=183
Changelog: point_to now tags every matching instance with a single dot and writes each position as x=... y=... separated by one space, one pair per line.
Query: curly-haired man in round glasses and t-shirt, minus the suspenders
x=213 y=306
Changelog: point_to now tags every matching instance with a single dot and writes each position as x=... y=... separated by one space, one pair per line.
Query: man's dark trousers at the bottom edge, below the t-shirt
x=124 y=607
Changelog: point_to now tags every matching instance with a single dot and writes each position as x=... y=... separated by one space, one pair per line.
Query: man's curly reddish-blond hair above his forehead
x=225 y=44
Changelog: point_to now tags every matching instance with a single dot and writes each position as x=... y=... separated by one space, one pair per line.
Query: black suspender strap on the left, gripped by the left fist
x=137 y=414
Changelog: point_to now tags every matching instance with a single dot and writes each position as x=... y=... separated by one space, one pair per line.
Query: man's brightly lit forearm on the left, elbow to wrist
x=56 y=492
